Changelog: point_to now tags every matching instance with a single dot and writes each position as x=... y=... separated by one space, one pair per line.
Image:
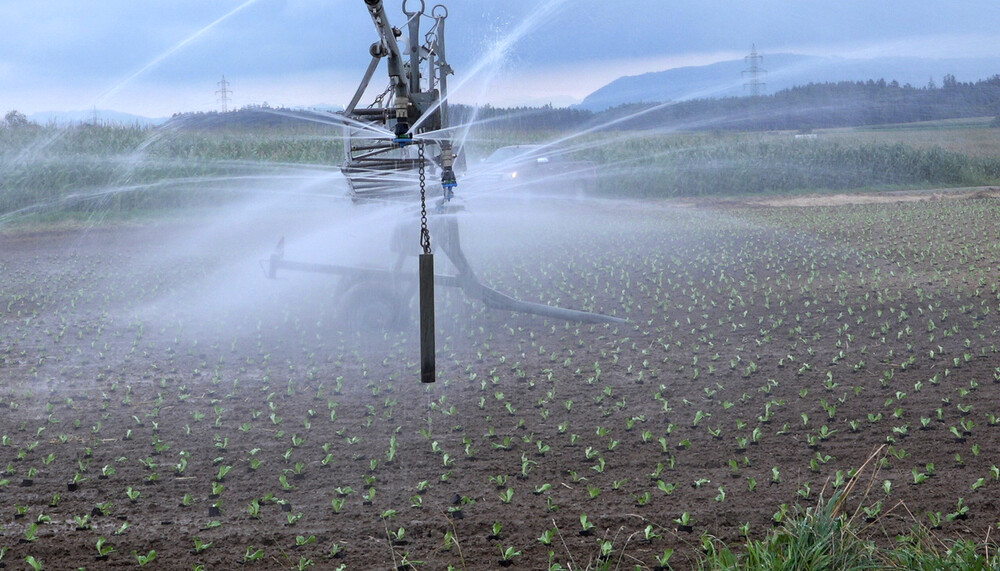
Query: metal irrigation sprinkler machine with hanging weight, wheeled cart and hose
x=393 y=146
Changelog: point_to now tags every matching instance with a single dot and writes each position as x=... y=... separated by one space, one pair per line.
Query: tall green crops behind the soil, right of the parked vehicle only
x=699 y=166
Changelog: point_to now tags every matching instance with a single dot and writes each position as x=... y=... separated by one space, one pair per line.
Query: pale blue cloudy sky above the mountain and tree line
x=159 y=57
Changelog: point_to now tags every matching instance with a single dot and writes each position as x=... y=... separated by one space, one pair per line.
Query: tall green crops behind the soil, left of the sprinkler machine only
x=111 y=168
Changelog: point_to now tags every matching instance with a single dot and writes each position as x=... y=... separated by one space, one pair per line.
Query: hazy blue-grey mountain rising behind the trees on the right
x=727 y=79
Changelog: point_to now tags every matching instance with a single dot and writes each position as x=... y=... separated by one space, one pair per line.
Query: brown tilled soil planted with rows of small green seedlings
x=751 y=332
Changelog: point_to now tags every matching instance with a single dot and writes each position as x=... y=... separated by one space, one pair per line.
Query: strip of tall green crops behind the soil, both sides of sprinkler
x=113 y=169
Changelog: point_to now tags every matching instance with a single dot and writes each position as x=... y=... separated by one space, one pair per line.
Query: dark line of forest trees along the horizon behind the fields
x=812 y=106
